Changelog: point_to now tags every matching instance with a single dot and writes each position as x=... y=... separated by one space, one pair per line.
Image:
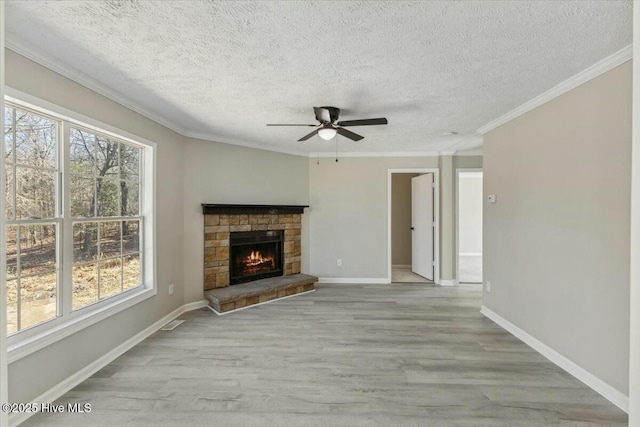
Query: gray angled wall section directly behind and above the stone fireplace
x=222 y=173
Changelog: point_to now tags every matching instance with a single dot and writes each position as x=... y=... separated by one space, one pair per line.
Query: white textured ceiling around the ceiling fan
x=222 y=70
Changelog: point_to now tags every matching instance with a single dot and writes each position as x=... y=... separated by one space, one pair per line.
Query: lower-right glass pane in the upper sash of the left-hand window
x=36 y=193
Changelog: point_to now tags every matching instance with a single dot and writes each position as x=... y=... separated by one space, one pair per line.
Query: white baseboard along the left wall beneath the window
x=83 y=374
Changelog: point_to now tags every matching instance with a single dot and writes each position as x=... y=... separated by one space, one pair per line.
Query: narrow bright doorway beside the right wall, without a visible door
x=469 y=225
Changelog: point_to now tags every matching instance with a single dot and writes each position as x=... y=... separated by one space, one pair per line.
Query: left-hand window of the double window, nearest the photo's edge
x=33 y=220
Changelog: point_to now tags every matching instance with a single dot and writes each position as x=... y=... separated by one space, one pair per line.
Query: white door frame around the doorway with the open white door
x=436 y=217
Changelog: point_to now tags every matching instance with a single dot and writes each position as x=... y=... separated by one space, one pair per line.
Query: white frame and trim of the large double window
x=30 y=340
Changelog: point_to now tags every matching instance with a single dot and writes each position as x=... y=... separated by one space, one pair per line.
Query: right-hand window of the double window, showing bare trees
x=105 y=186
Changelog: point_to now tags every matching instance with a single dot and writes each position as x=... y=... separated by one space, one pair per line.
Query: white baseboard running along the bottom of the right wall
x=611 y=394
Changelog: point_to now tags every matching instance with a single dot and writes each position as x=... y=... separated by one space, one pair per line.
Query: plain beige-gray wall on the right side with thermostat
x=556 y=243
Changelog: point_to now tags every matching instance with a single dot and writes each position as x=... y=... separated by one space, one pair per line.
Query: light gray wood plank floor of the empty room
x=345 y=355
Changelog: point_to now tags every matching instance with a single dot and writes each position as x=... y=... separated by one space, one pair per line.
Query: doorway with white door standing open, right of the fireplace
x=413 y=245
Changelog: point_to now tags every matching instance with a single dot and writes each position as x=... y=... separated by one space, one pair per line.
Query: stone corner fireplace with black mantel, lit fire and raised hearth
x=255 y=248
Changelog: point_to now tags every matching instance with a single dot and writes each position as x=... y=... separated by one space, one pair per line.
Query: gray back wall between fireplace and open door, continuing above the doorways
x=348 y=214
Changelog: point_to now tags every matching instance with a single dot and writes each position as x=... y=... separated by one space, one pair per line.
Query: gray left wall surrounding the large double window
x=36 y=373
